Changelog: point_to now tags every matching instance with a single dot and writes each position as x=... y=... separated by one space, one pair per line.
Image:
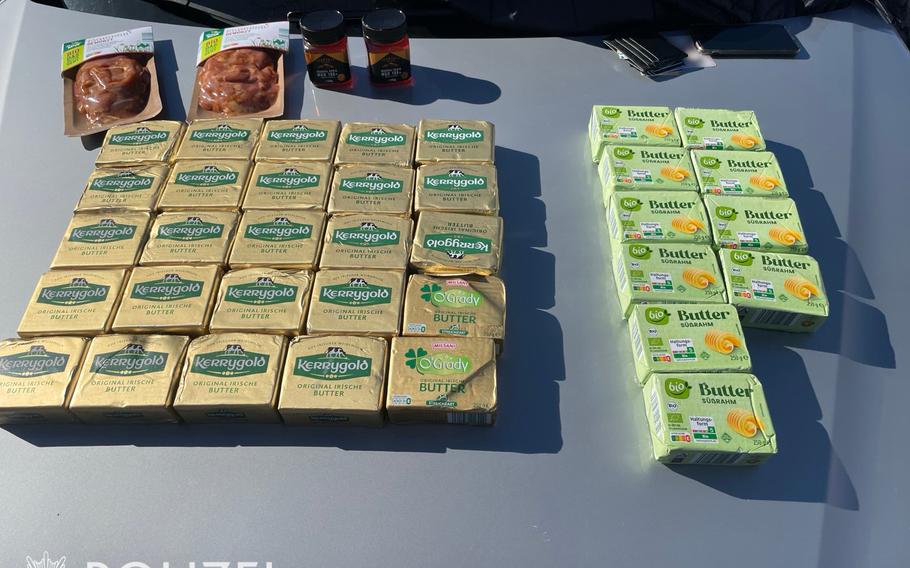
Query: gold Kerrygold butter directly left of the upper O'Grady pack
x=357 y=302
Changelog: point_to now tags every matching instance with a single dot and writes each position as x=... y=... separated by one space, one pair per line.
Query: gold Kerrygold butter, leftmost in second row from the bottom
x=73 y=302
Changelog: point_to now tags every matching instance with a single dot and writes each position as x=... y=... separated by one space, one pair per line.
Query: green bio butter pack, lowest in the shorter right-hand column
x=775 y=291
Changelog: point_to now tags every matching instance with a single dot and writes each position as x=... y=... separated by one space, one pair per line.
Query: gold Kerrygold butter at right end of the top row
x=455 y=141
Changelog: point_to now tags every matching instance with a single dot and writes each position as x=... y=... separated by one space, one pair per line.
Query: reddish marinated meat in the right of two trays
x=239 y=81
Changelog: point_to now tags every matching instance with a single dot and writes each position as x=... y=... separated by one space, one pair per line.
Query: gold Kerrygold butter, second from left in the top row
x=207 y=139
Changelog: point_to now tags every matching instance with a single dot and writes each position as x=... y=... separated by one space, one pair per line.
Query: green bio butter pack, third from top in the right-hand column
x=771 y=225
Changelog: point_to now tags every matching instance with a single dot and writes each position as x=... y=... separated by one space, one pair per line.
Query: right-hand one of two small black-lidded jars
x=385 y=33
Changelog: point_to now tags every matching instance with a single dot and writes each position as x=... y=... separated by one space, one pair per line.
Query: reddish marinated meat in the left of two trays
x=111 y=87
